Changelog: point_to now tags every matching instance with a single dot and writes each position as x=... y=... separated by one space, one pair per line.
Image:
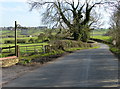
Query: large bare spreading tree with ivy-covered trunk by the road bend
x=72 y=14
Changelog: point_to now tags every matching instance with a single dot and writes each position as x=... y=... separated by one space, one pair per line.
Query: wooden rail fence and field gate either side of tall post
x=21 y=50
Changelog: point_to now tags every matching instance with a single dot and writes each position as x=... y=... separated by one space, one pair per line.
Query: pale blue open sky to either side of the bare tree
x=18 y=10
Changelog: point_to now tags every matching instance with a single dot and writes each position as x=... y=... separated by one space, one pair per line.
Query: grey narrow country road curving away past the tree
x=85 y=68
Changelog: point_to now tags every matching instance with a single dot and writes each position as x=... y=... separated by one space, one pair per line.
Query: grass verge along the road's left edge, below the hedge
x=43 y=58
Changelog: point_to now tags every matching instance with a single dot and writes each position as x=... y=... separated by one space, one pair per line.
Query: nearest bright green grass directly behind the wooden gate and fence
x=23 y=50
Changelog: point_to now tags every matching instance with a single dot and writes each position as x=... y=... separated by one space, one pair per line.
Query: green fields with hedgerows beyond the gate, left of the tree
x=26 y=39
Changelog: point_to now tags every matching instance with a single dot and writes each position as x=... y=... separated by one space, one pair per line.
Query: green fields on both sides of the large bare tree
x=28 y=48
